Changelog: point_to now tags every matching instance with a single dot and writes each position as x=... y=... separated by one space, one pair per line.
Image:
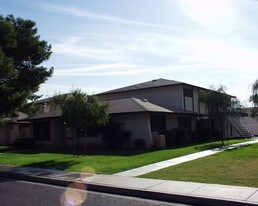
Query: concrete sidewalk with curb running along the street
x=169 y=191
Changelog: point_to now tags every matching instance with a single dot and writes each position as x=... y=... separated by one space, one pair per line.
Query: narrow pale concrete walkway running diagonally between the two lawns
x=175 y=161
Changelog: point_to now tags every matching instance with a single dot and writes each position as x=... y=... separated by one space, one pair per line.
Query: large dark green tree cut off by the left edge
x=21 y=55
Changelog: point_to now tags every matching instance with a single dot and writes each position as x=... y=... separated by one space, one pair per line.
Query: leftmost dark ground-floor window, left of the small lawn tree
x=41 y=130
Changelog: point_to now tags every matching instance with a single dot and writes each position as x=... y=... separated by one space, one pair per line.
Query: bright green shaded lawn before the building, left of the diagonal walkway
x=107 y=161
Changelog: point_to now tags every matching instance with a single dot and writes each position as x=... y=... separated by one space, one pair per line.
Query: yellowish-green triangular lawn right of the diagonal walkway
x=234 y=167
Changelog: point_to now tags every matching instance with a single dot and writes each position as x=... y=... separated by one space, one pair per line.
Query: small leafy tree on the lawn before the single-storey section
x=80 y=110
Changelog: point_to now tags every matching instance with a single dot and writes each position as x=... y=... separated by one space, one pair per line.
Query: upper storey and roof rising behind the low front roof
x=170 y=94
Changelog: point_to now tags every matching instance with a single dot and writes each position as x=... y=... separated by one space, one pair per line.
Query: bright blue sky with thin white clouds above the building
x=100 y=45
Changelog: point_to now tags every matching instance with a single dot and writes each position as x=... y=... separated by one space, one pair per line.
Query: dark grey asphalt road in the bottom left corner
x=21 y=193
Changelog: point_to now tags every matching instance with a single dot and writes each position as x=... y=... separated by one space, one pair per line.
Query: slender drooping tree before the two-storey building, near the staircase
x=218 y=104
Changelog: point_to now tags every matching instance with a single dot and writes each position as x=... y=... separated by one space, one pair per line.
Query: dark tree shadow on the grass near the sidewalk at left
x=52 y=164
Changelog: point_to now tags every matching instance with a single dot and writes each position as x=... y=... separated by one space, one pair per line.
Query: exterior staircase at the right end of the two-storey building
x=234 y=119
